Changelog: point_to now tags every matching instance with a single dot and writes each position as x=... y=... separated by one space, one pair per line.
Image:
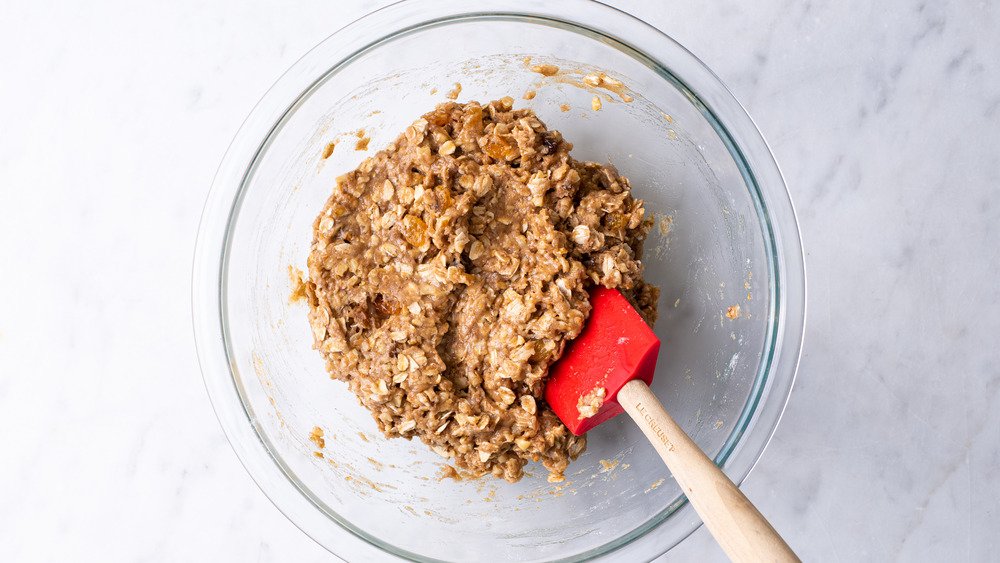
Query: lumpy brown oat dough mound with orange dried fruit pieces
x=449 y=270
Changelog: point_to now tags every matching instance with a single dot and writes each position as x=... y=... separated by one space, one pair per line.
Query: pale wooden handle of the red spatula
x=743 y=533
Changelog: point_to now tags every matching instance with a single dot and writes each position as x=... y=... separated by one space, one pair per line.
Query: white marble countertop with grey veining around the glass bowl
x=115 y=114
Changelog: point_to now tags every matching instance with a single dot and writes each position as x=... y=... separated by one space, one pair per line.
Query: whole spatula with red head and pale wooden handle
x=607 y=370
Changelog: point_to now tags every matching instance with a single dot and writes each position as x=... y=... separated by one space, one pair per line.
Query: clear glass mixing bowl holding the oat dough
x=692 y=154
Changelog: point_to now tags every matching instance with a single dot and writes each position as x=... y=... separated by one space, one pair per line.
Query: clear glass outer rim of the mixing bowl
x=776 y=214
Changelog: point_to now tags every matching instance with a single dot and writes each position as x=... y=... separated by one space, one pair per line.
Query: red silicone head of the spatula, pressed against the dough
x=615 y=347
